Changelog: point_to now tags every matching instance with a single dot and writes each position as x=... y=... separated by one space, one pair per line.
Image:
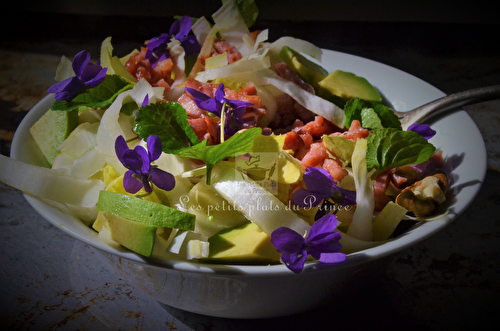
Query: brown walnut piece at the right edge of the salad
x=423 y=197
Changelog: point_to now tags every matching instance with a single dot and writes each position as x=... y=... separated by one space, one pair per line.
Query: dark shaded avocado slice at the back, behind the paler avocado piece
x=307 y=70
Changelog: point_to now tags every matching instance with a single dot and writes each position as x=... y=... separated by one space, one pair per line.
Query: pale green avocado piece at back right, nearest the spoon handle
x=347 y=85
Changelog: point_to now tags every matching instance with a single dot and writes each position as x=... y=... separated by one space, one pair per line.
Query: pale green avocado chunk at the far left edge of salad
x=52 y=129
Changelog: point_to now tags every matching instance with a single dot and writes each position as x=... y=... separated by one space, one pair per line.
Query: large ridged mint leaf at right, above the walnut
x=390 y=148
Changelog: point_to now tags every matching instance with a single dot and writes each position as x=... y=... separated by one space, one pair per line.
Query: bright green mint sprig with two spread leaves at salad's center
x=240 y=143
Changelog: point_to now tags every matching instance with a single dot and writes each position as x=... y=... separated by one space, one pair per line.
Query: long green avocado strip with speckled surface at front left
x=144 y=211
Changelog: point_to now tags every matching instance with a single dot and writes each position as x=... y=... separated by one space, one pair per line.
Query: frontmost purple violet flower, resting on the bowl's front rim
x=321 y=243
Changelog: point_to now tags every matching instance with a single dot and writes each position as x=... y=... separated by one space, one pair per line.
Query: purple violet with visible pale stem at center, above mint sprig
x=219 y=107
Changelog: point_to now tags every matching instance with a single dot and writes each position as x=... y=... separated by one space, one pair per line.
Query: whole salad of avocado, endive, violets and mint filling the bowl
x=209 y=143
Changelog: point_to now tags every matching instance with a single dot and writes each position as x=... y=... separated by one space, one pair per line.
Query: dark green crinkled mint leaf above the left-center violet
x=168 y=121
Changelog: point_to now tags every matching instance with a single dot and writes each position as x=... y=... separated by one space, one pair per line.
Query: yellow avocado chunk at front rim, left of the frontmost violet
x=245 y=244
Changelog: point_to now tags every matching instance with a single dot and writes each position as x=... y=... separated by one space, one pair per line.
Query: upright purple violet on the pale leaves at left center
x=138 y=162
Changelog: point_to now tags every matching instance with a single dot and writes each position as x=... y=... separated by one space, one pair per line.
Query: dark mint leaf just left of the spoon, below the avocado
x=354 y=107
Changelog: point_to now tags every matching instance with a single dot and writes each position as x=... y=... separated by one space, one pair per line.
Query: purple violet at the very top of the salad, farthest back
x=157 y=46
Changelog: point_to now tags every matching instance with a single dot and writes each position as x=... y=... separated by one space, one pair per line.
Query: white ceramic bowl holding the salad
x=270 y=291
